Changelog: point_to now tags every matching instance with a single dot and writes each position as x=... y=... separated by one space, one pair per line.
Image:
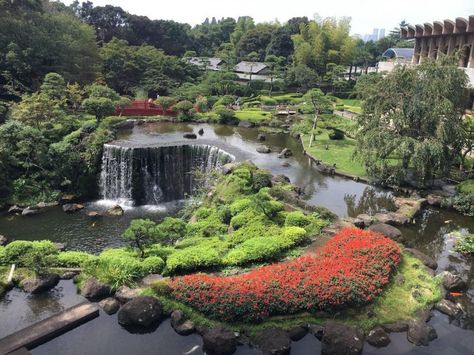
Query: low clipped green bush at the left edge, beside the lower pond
x=16 y=250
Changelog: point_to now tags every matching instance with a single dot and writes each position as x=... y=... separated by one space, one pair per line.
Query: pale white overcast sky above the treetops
x=366 y=14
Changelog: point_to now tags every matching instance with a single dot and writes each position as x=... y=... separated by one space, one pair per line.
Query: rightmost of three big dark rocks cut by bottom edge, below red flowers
x=341 y=339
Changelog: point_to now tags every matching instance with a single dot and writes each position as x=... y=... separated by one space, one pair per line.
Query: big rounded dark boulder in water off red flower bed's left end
x=141 y=311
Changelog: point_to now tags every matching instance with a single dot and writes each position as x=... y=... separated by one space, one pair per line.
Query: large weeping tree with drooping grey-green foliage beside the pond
x=412 y=123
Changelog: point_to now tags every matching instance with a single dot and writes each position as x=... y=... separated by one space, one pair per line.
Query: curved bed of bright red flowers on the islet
x=351 y=270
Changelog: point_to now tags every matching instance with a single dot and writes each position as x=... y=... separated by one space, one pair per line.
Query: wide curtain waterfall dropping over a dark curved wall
x=151 y=175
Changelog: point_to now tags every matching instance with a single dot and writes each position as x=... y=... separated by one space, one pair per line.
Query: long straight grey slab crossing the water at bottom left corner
x=49 y=328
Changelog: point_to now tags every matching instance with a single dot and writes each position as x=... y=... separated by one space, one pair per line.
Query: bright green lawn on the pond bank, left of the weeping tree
x=339 y=152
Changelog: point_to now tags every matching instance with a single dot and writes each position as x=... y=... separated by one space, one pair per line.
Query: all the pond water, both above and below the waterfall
x=345 y=197
